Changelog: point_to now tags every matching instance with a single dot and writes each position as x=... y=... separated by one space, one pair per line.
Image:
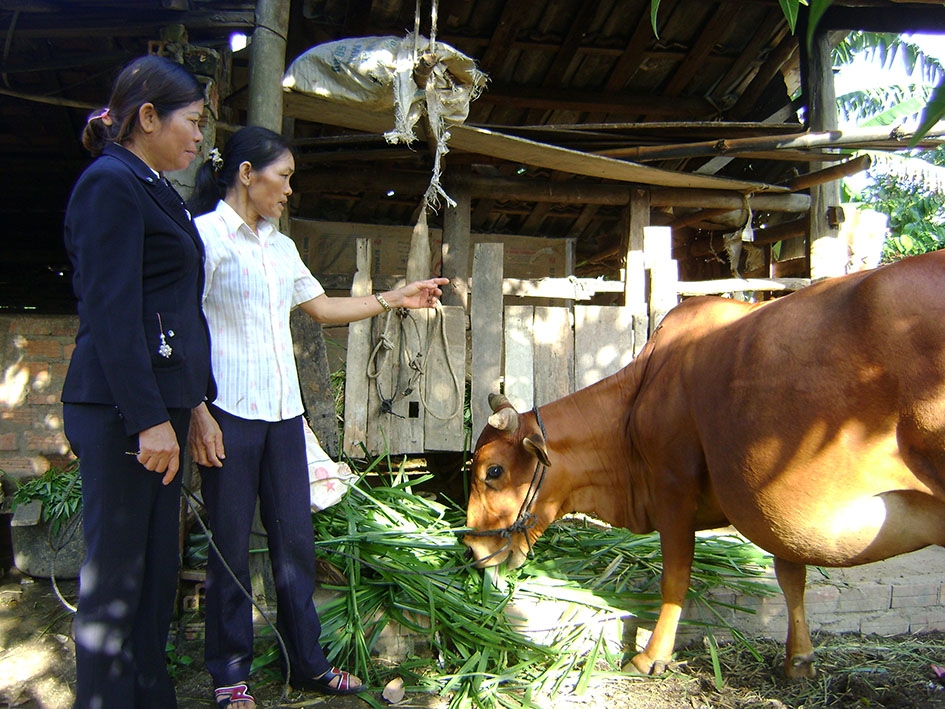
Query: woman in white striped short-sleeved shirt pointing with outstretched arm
x=254 y=277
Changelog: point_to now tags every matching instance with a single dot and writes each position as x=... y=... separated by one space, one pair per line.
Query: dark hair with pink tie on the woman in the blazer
x=165 y=84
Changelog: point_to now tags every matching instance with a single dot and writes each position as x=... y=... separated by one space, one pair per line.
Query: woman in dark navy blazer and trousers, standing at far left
x=141 y=366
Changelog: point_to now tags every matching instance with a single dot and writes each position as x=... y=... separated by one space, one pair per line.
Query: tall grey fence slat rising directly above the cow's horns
x=485 y=312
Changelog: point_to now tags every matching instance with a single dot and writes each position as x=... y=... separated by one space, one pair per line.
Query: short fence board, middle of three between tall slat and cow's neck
x=554 y=354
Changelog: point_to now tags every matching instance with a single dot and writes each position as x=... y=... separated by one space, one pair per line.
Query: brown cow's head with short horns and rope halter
x=509 y=460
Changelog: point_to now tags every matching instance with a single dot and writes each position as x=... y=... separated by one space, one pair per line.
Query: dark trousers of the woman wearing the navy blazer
x=128 y=581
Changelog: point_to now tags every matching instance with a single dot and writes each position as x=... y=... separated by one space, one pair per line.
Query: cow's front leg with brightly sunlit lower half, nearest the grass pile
x=678 y=548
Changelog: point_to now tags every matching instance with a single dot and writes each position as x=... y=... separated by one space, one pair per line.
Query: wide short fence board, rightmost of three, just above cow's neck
x=603 y=342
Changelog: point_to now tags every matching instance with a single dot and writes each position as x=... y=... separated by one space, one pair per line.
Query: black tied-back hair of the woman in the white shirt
x=258 y=146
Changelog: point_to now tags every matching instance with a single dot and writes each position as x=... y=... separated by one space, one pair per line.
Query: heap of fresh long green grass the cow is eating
x=403 y=560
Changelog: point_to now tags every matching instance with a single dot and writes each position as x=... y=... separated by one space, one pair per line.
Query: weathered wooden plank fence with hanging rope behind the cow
x=533 y=353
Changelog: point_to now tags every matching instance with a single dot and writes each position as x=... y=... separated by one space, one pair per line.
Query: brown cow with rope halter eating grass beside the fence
x=814 y=424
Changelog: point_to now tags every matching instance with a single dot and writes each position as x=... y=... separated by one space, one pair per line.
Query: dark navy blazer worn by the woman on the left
x=137 y=274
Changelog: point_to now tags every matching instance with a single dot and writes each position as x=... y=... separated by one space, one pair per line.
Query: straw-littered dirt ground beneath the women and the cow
x=37 y=670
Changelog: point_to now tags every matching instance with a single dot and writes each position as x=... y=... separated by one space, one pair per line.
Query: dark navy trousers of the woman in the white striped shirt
x=264 y=459
